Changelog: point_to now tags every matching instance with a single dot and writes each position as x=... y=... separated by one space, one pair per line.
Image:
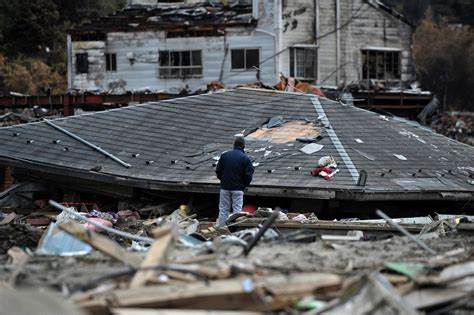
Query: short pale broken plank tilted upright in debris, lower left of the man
x=157 y=254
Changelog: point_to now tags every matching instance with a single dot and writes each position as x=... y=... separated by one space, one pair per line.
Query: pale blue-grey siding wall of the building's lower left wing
x=137 y=58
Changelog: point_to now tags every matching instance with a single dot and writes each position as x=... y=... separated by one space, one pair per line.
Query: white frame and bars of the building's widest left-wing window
x=178 y=71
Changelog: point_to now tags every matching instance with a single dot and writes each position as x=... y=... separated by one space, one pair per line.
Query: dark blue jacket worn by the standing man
x=234 y=169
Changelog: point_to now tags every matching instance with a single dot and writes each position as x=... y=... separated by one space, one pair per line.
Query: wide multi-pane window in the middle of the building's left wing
x=176 y=64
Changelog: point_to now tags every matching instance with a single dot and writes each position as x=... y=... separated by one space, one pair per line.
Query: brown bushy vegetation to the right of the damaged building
x=444 y=57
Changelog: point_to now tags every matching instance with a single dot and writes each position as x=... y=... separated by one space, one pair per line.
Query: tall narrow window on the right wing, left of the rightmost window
x=303 y=63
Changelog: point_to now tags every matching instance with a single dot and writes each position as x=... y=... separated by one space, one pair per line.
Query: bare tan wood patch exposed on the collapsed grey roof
x=288 y=131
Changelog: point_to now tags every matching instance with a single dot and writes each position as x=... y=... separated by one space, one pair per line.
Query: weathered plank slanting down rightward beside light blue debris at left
x=101 y=243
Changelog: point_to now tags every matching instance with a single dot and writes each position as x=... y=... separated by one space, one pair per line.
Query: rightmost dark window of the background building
x=381 y=65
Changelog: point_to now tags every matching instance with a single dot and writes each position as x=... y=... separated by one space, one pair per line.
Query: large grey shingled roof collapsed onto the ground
x=174 y=145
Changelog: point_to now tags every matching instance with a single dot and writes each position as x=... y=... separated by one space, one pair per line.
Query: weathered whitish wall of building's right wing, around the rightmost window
x=362 y=26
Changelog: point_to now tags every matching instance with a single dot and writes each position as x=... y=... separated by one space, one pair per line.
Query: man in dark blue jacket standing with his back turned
x=235 y=171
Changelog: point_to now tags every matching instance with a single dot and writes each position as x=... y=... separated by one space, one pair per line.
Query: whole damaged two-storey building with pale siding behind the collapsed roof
x=181 y=46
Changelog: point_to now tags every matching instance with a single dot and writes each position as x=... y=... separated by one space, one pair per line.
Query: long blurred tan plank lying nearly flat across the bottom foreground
x=230 y=294
